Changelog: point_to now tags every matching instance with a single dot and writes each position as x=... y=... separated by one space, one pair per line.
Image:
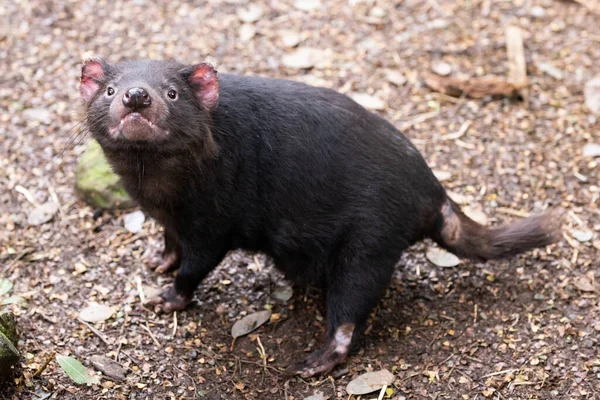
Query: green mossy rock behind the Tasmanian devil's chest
x=99 y=186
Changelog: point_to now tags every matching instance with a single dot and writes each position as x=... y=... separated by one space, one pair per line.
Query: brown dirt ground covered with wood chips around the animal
x=518 y=329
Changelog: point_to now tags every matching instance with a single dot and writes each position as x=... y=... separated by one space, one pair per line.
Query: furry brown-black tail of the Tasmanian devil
x=466 y=238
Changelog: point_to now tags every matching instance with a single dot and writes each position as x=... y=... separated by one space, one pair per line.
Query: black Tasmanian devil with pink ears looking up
x=333 y=193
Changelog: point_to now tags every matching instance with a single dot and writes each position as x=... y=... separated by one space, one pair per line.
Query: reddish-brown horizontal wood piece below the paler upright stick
x=473 y=87
